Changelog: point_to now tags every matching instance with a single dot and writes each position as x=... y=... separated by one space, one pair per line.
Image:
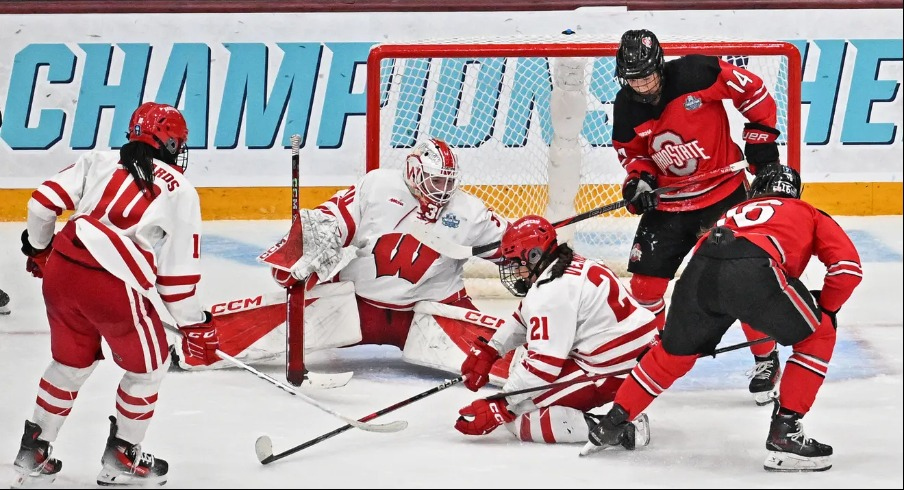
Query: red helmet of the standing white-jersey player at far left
x=163 y=127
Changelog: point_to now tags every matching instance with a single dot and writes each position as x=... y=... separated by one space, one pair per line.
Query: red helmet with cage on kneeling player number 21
x=528 y=247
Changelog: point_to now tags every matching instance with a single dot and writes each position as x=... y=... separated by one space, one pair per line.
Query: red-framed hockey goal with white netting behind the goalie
x=530 y=119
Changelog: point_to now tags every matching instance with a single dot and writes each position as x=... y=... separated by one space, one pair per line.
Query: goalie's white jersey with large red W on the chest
x=393 y=269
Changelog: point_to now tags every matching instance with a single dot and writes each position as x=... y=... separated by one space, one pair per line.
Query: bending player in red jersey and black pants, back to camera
x=747 y=268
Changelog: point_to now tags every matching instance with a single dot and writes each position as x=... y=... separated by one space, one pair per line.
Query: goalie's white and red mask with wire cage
x=431 y=172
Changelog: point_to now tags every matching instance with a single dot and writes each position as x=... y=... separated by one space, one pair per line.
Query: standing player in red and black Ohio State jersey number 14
x=670 y=123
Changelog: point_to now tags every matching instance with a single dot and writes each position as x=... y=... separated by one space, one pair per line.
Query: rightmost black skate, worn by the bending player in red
x=791 y=450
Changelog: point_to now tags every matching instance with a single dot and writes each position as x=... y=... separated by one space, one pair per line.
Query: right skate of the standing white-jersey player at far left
x=125 y=465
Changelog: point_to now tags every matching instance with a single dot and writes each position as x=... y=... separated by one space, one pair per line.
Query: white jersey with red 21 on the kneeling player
x=586 y=315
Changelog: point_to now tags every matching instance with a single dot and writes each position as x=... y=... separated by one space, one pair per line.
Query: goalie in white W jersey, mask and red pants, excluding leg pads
x=391 y=270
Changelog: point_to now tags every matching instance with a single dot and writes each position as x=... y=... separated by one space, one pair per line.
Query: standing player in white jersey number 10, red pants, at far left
x=136 y=225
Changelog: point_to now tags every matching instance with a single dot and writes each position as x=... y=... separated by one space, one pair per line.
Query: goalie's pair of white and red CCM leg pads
x=252 y=330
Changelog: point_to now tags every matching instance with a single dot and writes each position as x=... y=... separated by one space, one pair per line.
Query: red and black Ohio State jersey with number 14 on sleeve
x=688 y=131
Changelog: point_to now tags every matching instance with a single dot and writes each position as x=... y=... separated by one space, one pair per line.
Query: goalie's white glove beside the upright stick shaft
x=322 y=245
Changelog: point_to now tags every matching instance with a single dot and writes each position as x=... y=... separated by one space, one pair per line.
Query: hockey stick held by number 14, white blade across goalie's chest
x=442 y=245
